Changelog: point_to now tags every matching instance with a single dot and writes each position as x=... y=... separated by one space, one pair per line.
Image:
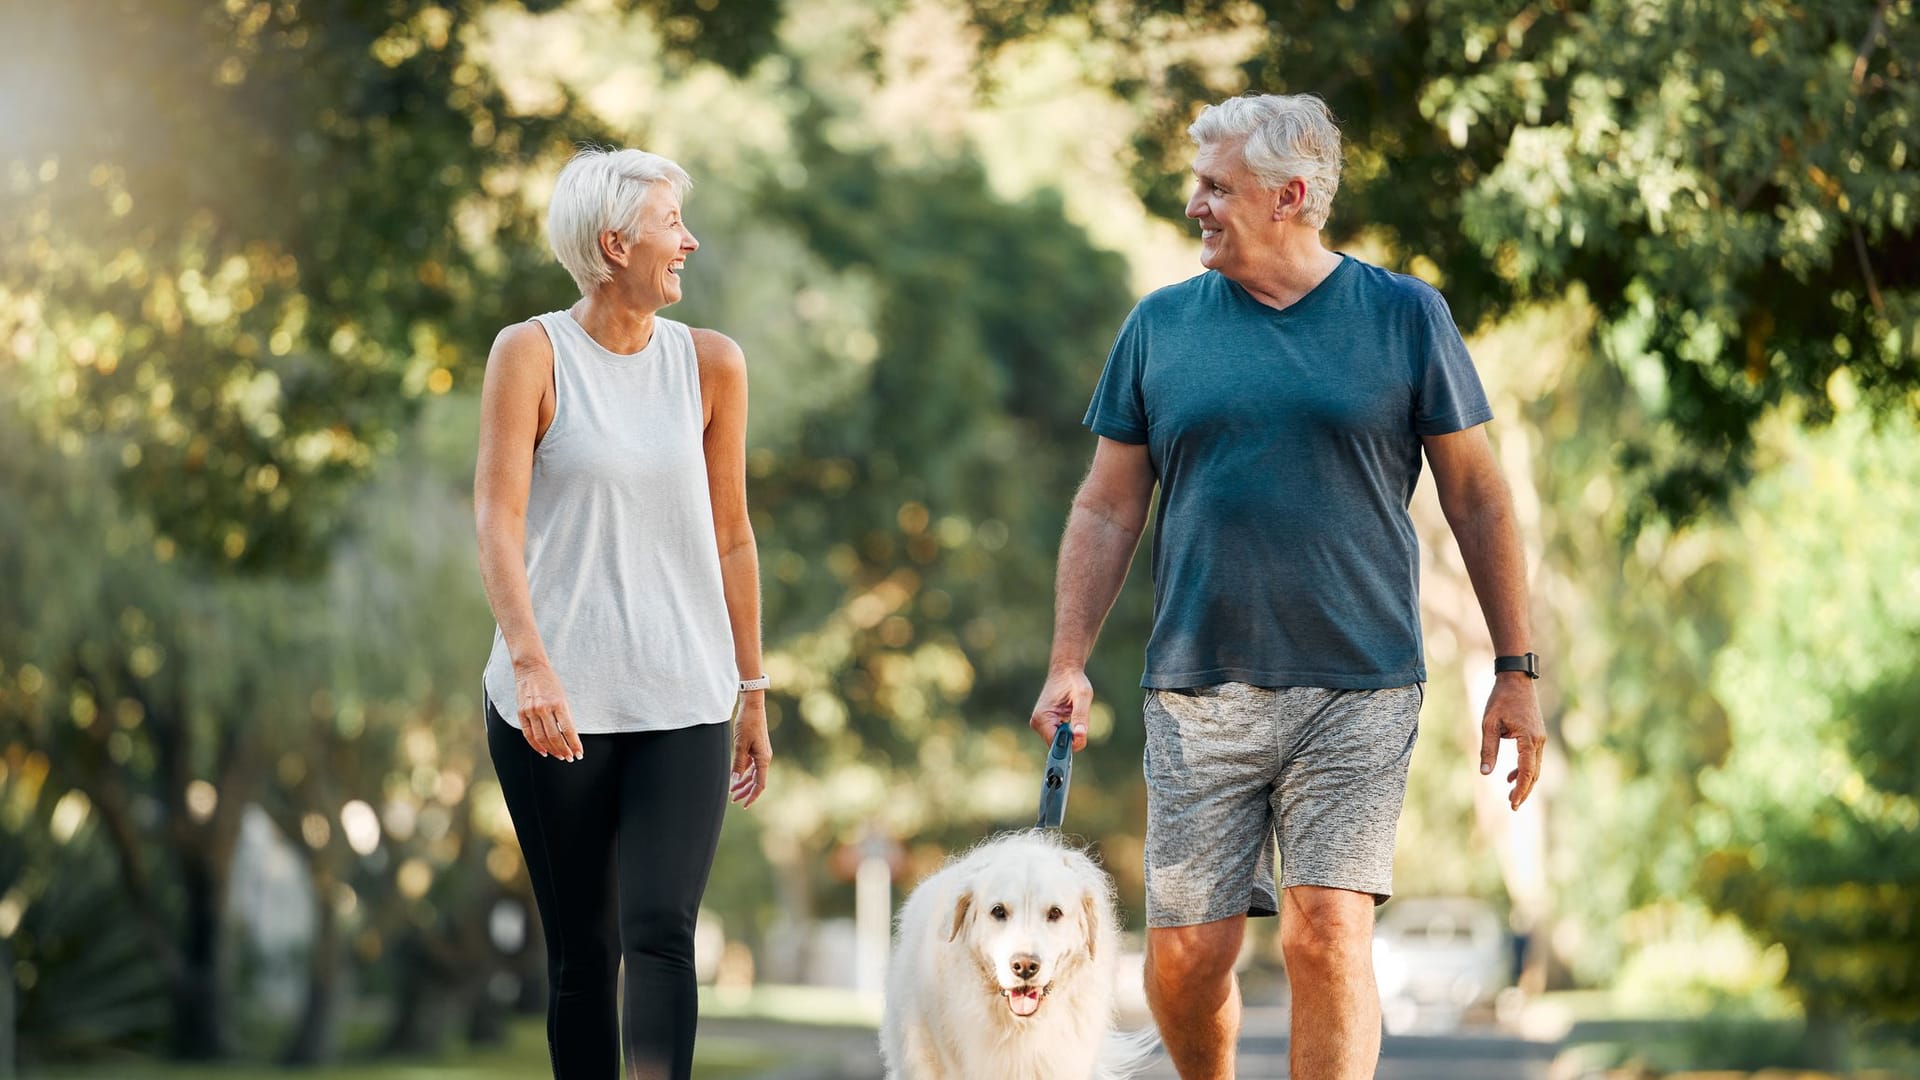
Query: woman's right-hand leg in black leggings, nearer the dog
x=673 y=798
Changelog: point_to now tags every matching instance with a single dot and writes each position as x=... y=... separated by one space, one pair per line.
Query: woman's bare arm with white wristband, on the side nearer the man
x=725 y=401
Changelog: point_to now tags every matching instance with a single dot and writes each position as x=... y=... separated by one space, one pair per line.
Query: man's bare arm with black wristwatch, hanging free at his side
x=1481 y=514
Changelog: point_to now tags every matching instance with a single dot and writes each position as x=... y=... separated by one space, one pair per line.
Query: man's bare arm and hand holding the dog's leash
x=1095 y=552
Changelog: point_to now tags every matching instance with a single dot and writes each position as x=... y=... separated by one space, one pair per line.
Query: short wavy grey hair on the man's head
x=1282 y=137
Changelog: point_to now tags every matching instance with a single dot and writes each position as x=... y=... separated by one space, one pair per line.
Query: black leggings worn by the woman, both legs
x=619 y=847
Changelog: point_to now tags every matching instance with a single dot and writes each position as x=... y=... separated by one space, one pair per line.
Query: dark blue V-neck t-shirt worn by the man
x=1287 y=445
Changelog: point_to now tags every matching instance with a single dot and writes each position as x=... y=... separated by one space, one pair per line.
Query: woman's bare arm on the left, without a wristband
x=516 y=410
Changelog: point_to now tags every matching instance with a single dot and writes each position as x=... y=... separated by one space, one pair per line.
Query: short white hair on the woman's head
x=598 y=191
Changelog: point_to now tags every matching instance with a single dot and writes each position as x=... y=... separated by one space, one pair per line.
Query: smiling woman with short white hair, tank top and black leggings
x=612 y=504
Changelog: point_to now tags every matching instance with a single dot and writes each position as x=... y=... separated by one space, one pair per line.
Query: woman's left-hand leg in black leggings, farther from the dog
x=564 y=812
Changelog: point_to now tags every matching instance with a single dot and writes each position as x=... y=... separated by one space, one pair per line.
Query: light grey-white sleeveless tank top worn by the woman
x=621 y=554
